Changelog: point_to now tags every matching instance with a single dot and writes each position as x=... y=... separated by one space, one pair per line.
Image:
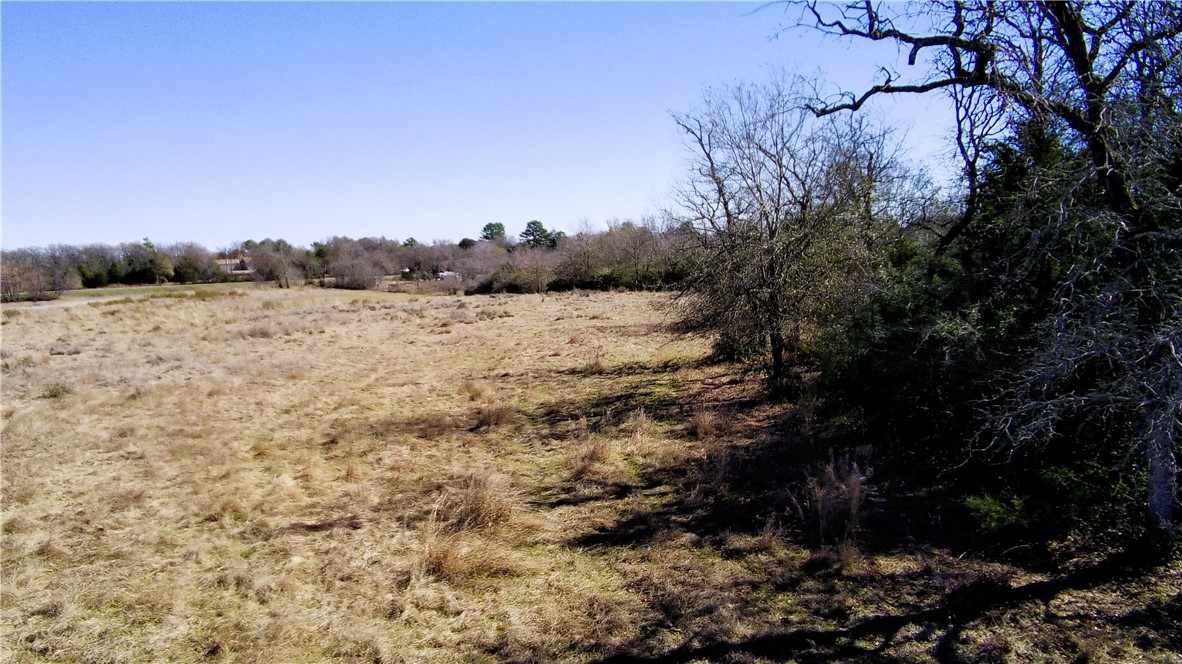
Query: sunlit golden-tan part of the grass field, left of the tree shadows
x=267 y=477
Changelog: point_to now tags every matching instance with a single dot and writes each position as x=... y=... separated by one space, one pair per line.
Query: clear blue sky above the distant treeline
x=219 y=122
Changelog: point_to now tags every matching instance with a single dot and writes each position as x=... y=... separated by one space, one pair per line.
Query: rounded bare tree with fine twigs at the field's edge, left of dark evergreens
x=787 y=209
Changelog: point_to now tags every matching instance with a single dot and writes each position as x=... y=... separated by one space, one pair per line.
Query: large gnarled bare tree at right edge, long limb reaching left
x=1108 y=73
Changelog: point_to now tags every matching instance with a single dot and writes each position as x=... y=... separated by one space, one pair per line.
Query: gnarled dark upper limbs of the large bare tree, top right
x=1064 y=60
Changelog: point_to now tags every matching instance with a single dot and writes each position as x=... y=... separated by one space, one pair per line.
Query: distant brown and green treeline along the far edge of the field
x=626 y=256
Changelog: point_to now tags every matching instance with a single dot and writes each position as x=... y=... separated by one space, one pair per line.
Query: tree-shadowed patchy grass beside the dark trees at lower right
x=716 y=503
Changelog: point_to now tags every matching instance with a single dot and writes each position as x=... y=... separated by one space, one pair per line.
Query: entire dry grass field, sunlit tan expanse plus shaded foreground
x=309 y=476
